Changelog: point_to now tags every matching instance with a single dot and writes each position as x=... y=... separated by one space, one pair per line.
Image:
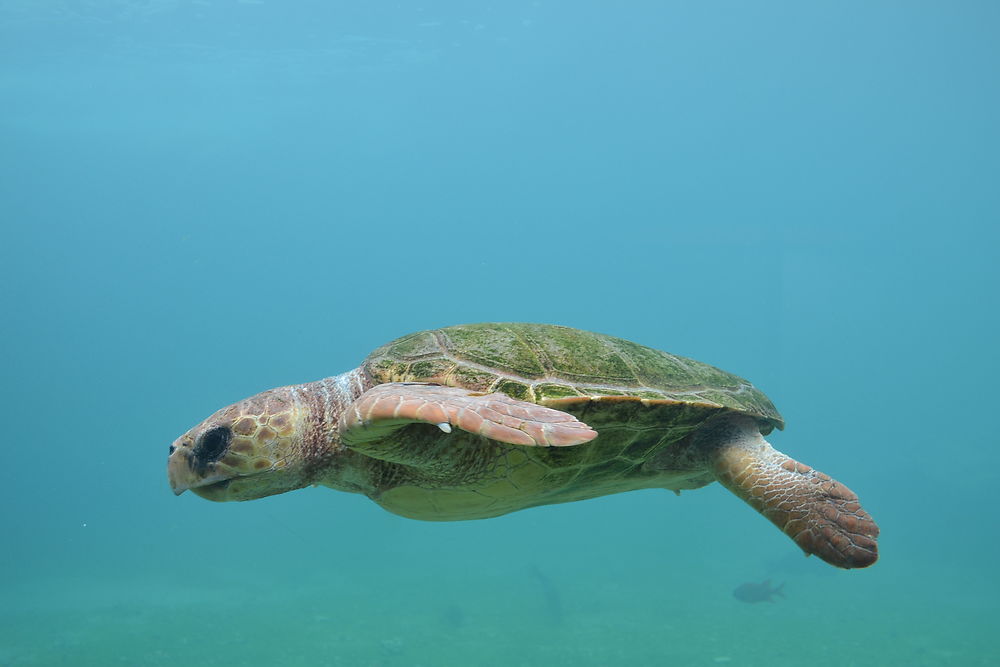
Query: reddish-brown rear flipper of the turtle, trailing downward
x=820 y=514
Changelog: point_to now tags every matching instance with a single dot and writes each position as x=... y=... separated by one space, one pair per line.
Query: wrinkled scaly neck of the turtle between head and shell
x=322 y=402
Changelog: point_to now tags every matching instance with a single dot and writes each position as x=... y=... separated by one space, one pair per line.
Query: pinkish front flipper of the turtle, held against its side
x=386 y=408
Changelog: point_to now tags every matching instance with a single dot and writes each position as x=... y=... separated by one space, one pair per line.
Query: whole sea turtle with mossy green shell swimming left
x=478 y=420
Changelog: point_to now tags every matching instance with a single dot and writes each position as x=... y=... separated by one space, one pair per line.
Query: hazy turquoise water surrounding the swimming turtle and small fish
x=202 y=200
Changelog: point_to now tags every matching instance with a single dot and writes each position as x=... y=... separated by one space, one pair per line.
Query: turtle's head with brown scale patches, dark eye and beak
x=251 y=449
